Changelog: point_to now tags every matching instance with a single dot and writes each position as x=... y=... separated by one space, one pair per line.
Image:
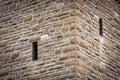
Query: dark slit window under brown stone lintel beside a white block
x=34 y=51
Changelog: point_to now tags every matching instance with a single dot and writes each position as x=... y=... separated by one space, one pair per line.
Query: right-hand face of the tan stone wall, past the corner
x=98 y=58
